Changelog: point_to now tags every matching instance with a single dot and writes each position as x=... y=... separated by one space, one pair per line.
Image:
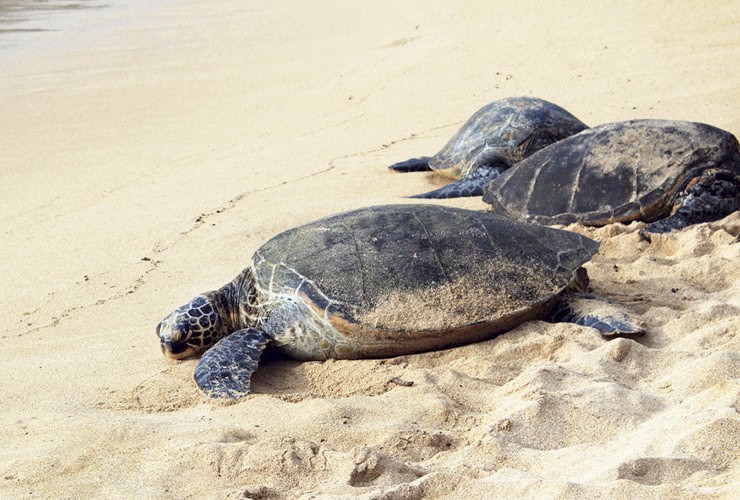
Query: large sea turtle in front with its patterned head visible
x=386 y=281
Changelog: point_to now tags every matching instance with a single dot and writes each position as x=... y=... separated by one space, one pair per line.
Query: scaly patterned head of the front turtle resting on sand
x=191 y=329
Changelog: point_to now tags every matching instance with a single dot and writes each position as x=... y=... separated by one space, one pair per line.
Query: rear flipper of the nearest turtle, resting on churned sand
x=588 y=310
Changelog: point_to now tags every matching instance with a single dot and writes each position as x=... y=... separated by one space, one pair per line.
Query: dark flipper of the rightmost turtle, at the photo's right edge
x=710 y=197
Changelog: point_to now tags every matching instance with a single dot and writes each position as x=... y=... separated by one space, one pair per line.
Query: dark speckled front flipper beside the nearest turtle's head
x=225 y=370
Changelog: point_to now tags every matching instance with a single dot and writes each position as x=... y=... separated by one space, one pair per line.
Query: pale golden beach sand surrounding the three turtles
x=144 y=156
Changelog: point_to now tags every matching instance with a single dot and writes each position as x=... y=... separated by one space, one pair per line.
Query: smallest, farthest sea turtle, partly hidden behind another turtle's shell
x=497 y=136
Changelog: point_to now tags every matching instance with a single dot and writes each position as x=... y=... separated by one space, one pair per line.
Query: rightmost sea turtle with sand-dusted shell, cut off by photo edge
x=668 y=173
